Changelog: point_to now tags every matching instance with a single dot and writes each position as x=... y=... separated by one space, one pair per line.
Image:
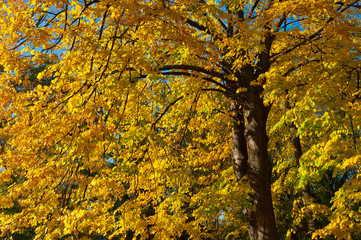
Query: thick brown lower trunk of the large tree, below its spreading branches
x=261 y=219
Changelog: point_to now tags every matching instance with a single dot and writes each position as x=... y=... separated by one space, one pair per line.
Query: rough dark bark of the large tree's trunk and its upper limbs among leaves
x=249 y=136
